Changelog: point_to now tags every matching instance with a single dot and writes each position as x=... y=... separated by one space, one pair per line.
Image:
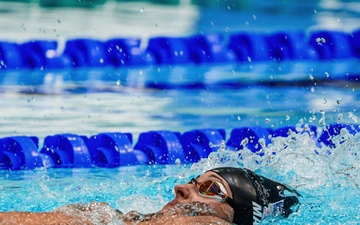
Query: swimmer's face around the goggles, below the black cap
x=189 y=193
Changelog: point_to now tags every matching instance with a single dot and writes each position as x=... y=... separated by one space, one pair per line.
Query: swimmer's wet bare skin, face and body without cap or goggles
x=188 y=207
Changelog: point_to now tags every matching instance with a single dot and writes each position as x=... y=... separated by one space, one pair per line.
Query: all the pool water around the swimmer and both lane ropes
x=181 y=98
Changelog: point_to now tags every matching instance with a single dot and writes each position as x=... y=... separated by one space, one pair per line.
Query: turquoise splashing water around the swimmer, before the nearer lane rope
x=329 y=184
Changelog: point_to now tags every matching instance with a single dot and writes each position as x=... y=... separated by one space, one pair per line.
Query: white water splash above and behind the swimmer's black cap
x=328 y=178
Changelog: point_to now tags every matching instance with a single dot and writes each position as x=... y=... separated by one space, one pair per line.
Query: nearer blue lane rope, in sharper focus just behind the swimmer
x=153 y=147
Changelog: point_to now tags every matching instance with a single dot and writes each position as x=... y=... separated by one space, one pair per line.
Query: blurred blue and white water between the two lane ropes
x=179 y=98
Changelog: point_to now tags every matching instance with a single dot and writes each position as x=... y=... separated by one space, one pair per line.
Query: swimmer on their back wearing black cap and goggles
x=225 y=195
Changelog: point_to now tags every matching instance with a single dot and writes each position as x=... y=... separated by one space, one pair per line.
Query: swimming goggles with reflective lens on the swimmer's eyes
x=211 y=189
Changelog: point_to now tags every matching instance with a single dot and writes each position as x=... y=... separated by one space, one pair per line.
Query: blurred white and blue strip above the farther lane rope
x=29 y=19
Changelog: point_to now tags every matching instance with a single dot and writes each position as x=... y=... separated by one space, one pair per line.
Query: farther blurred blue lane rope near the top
x=197 y=49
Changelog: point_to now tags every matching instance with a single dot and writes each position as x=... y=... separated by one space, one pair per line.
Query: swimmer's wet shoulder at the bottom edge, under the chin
x=189 y=220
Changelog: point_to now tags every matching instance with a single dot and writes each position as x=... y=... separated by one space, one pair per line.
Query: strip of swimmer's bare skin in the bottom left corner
x=30 y=218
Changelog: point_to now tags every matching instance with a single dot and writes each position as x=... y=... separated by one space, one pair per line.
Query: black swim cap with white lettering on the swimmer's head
x=255 y=197
